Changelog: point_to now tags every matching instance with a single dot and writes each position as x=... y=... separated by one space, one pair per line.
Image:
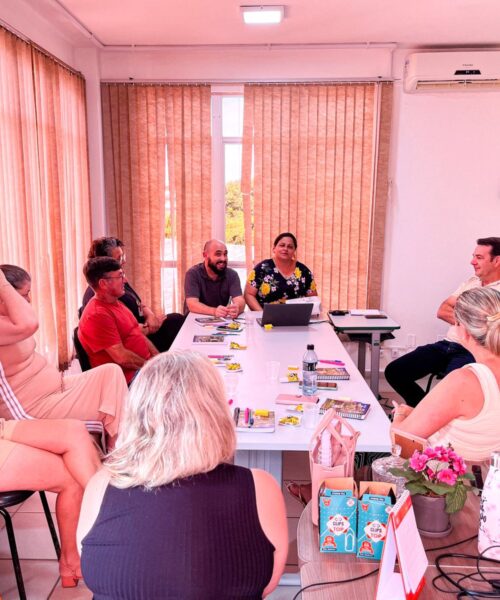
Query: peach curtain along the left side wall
x=44 y=189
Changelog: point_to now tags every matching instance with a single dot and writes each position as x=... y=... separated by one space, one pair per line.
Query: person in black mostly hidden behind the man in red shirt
x=160 y=330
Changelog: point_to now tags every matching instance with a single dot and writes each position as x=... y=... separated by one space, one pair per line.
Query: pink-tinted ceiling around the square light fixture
x=408 y=23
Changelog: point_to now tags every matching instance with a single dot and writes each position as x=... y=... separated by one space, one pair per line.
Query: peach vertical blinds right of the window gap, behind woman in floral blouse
x=313 y=151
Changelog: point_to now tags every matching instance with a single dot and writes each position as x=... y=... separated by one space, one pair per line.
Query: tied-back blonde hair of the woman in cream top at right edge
x=479 y=312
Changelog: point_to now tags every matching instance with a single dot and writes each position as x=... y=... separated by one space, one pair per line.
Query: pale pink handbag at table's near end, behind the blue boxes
x=340 y=453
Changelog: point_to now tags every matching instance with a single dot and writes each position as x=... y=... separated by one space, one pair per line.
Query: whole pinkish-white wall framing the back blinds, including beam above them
x=445 y=172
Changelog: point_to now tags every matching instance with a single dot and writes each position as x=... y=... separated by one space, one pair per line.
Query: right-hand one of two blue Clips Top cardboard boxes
x=374 y=506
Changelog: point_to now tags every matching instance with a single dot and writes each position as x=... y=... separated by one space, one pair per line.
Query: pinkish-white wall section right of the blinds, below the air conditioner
x=445 y=193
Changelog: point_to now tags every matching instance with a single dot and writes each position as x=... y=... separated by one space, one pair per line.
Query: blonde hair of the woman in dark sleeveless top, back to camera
x=177 y=423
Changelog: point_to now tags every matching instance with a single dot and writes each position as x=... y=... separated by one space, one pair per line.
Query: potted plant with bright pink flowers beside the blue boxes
x=437 y=480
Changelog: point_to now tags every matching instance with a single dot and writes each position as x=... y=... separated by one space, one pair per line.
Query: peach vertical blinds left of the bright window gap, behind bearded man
x=147 y=127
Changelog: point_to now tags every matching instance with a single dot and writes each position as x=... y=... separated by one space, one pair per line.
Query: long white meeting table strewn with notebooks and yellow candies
x=286 y=345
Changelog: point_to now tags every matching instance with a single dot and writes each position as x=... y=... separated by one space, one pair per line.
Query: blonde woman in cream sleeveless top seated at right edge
x=464 y=408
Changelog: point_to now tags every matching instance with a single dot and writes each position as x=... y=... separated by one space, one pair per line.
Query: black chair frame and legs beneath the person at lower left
x=11 y=499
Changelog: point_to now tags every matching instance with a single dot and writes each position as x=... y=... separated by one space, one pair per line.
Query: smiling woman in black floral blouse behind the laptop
x=279 y=278
